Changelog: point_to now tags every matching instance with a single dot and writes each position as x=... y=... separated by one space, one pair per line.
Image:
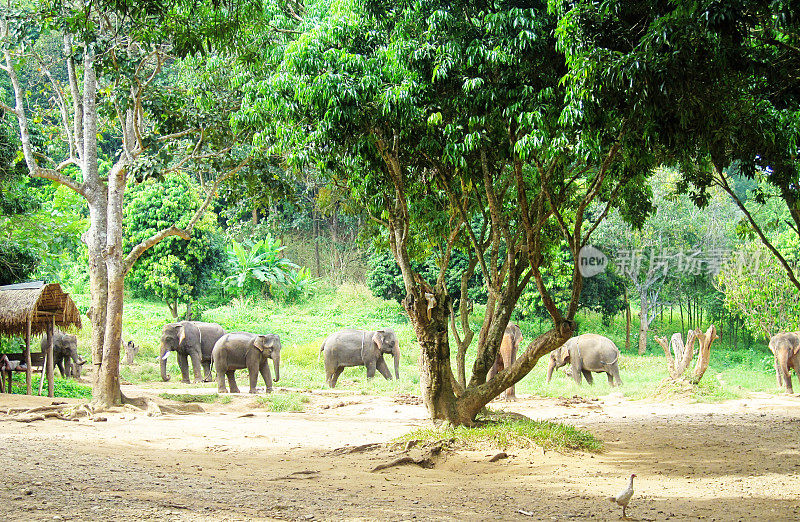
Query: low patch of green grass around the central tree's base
x=505 y=434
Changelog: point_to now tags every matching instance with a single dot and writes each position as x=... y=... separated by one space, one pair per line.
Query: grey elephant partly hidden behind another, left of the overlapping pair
x=189 y=339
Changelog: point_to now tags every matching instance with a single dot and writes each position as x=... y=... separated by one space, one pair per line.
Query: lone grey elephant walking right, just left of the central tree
x=360 y=348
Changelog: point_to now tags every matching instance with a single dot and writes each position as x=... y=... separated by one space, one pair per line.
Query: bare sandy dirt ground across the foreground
x=738 y=460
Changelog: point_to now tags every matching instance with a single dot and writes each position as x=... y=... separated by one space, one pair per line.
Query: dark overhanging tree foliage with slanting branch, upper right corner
x=715 y=82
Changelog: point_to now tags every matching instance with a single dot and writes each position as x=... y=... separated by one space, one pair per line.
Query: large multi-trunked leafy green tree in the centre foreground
x=450 y=123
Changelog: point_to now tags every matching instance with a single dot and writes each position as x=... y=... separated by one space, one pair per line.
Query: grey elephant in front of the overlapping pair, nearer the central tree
x=239 y=350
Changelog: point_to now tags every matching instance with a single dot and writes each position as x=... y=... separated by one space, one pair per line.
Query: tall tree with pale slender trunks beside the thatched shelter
x=119 y=91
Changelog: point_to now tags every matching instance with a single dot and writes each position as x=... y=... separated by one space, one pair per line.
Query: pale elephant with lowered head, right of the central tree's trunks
x=587 y=353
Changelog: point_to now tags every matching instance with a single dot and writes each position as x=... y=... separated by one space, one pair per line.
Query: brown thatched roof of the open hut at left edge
x=39 y=302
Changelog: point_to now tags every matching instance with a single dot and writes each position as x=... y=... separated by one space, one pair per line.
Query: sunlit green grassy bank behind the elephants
x=303 y=327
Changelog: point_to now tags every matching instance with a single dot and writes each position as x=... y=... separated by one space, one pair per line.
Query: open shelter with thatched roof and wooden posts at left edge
x=36 y=308
